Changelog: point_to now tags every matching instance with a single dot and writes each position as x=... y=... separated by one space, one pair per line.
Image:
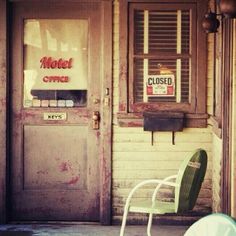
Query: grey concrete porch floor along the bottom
x=88 y=230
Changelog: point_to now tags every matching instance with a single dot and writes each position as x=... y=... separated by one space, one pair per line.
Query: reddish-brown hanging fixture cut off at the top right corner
x=228 y=8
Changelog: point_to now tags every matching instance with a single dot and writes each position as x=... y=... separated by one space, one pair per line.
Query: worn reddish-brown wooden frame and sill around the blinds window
x=195 y=112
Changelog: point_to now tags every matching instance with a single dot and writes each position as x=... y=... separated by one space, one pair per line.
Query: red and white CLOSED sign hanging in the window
x=160 y=85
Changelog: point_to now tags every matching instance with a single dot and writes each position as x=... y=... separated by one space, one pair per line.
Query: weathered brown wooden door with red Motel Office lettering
x=55 y=95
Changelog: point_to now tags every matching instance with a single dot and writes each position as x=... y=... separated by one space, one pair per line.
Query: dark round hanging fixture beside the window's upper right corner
x=210 y=22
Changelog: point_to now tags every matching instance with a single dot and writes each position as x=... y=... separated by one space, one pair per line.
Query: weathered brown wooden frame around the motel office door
x=105 y=151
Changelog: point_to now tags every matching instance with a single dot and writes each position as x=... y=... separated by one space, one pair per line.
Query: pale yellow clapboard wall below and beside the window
x=135 y=159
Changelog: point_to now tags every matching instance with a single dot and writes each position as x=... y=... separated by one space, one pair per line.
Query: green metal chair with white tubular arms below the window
x=187 y=186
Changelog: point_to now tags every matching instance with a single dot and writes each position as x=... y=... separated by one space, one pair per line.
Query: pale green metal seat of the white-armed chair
x=146 y=207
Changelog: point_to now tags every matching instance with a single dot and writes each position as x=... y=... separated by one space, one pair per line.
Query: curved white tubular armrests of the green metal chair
x=150 y=181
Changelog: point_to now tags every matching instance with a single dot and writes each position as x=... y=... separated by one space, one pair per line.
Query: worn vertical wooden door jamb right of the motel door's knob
x=105 y=199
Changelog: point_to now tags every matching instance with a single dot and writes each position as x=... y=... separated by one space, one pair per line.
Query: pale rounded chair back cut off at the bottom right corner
x=213 y=225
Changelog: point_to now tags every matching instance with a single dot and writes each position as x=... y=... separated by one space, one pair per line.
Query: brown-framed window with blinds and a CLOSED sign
x=163 y=58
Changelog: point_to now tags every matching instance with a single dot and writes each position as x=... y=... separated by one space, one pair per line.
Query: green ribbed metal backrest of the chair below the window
x=190 y=177
